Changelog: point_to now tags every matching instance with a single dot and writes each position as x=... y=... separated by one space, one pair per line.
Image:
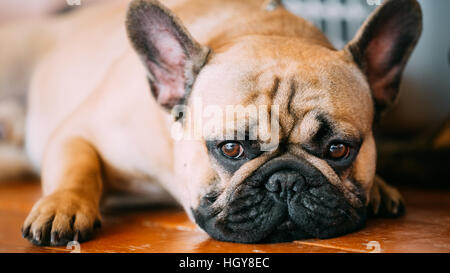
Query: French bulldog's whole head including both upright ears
x=315 y=181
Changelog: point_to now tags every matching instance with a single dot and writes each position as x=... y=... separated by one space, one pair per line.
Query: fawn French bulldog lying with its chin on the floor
x=105 y=101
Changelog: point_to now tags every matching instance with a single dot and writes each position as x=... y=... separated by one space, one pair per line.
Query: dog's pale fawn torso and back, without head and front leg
x=121 y=121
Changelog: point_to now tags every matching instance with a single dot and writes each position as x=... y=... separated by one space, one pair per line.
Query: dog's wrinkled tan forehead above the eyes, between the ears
x=297 y=76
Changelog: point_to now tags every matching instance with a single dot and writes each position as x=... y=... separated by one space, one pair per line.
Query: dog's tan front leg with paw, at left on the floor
x=72 y=187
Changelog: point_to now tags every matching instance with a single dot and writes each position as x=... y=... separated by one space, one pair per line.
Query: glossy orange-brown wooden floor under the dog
x=425 y=228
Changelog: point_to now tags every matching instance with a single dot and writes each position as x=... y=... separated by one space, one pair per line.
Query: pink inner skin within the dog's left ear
x=169 y=71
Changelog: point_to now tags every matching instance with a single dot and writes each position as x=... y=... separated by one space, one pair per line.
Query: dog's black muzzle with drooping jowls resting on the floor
x=284 y=200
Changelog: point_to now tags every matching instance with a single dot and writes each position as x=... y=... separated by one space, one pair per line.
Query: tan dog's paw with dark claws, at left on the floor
x=60 y=218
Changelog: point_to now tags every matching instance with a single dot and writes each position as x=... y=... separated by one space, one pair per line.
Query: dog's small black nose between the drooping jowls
x=285 y=181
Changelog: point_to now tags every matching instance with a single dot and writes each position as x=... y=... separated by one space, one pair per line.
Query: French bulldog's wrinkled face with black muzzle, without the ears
x=316 y=180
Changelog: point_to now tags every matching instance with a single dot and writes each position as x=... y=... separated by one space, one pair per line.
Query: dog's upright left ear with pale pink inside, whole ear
x=173 y=58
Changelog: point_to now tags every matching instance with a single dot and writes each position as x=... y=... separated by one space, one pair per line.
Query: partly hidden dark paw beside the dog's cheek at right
x=385 y=200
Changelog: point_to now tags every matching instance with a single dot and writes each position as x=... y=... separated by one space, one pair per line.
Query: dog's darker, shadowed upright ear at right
x=383 y=45
